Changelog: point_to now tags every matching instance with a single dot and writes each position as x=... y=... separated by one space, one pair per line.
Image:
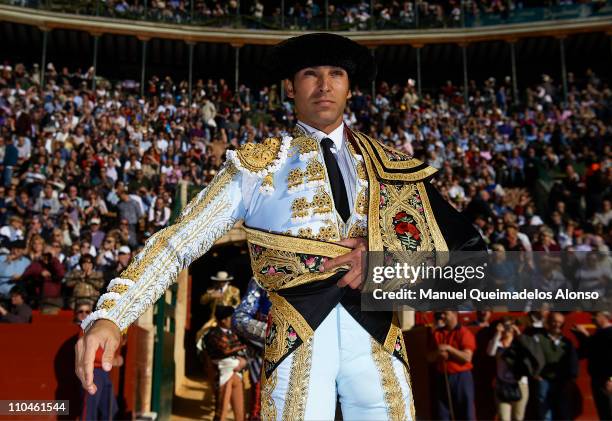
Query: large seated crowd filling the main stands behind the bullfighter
x=87 y=175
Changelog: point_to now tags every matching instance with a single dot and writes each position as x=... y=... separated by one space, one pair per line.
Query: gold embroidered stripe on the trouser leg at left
x=297 y=393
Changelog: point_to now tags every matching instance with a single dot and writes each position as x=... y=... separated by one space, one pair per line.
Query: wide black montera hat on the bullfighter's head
x=320 y=49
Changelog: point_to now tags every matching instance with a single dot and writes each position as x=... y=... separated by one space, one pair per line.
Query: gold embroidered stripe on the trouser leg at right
x=396 y=410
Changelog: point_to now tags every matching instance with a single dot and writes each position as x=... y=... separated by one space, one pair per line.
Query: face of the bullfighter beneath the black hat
x=320 y=95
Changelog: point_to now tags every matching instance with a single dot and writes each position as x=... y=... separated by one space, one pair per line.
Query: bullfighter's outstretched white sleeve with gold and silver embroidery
x=165 y=254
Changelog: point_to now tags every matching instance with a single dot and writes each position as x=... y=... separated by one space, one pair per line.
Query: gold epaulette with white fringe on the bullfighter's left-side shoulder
x=262 y=159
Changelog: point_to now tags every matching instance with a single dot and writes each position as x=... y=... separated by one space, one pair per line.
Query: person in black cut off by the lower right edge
x=596 y=349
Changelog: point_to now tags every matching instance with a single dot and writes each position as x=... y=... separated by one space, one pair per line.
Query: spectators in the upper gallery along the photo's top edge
x=310 y=14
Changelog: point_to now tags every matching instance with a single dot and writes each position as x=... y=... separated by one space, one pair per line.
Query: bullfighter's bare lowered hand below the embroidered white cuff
x=105 y=334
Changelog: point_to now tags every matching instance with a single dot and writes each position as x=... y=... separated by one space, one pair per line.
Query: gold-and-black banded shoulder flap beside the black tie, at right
x=393 y=165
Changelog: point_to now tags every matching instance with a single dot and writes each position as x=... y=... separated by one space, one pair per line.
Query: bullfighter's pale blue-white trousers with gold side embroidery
x=343 y=360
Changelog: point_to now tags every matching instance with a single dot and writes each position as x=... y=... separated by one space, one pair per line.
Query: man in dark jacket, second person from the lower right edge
x=560 y=369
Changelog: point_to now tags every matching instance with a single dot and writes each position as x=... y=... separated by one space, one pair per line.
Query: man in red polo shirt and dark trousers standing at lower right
x=453 y=349
